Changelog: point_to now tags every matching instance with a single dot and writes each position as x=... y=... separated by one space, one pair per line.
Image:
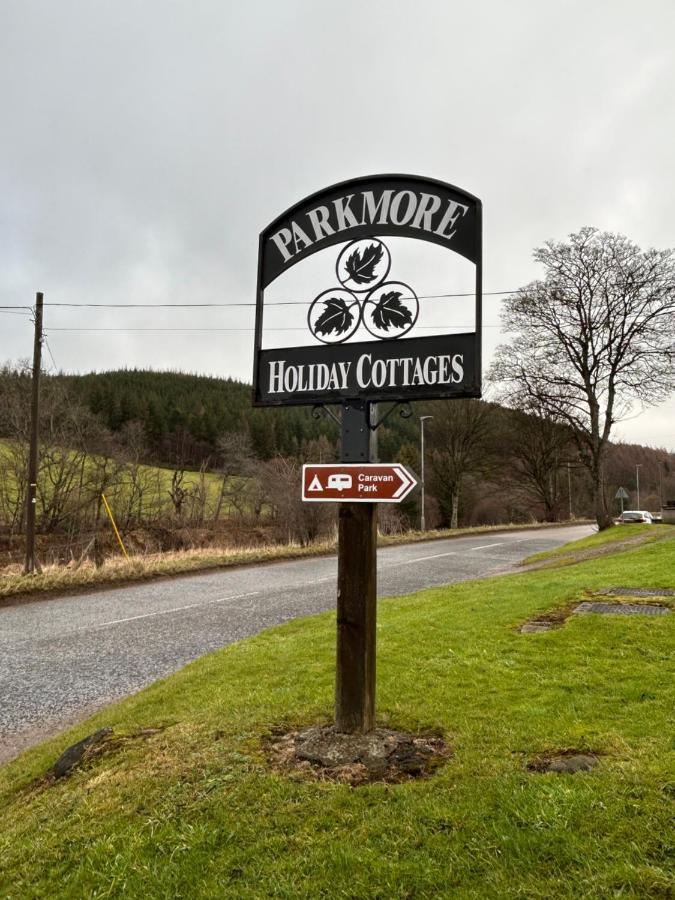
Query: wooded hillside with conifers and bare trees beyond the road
x=484 y=464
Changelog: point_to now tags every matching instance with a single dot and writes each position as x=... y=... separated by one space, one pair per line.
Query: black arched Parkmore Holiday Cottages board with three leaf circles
x=360 y=340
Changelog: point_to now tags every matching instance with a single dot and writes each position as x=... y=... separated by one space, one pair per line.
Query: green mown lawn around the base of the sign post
x=195 y=811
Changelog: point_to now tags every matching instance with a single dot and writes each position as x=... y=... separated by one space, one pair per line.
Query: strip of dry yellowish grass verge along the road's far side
x=59 y=578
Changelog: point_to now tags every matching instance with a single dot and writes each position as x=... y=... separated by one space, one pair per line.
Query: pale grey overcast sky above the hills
x=145 y=146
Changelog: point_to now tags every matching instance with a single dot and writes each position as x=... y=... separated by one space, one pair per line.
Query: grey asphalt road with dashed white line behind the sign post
x=62 y=658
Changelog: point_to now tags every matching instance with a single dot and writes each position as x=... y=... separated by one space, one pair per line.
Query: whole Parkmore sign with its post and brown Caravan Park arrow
x=361 y=353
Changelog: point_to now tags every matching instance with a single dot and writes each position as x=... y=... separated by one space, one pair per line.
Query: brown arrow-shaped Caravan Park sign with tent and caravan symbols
x=362 y=483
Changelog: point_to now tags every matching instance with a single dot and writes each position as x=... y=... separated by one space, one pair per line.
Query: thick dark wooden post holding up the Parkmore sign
x=357 y=586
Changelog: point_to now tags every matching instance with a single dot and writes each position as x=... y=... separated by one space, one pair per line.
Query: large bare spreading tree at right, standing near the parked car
x=592 y=339
